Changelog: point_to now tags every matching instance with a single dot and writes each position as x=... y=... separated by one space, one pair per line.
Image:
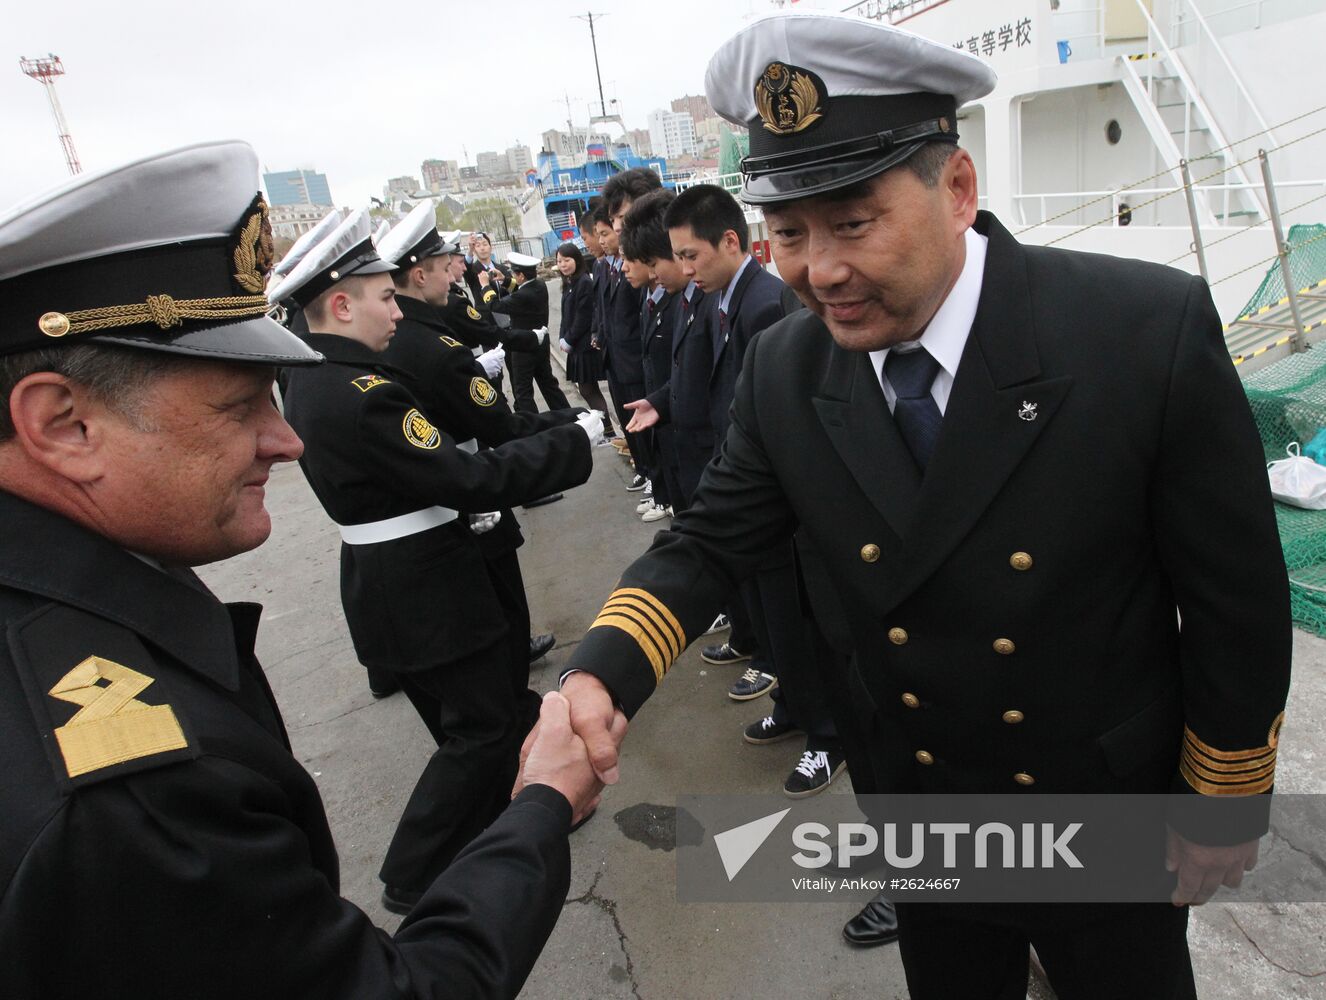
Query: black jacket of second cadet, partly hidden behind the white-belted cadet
x=440 y=372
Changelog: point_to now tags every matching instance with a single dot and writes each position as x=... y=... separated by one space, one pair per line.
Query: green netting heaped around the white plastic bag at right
x=1290 y=405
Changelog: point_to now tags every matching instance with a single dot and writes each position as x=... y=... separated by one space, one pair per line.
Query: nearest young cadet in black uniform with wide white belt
x=418 y=597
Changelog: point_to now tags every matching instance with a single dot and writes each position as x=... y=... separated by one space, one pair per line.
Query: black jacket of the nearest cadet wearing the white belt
x=372 y=453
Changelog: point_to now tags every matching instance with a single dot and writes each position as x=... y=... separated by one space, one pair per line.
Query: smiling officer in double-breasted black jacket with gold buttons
x=1019 y=466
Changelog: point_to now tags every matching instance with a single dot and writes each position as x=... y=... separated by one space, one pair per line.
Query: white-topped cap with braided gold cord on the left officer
x=168 y=254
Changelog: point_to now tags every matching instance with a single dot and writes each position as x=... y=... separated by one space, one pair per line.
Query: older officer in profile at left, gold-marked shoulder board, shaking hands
x=158 y=839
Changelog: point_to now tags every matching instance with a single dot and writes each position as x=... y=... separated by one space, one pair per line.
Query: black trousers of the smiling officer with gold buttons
x=982 y=953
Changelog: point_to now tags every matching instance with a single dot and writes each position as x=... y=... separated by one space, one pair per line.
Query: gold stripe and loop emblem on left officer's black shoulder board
x=112 y=726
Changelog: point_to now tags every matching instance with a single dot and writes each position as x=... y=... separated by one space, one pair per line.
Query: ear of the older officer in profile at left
x=60 y=425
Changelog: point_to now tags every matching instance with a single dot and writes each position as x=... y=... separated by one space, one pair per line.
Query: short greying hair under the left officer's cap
x=115 y=376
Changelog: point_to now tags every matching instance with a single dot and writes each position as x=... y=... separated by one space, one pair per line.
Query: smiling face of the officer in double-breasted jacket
x=877 y=265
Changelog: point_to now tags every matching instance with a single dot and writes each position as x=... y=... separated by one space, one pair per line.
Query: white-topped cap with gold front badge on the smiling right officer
x=832 y=100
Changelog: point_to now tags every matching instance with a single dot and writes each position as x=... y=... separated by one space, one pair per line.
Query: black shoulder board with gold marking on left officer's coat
x=100 y=701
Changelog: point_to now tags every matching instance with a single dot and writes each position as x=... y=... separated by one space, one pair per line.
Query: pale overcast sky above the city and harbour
x=357 y=91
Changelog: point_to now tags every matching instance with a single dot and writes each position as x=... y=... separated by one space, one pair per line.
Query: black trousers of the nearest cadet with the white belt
x=478 y=710
